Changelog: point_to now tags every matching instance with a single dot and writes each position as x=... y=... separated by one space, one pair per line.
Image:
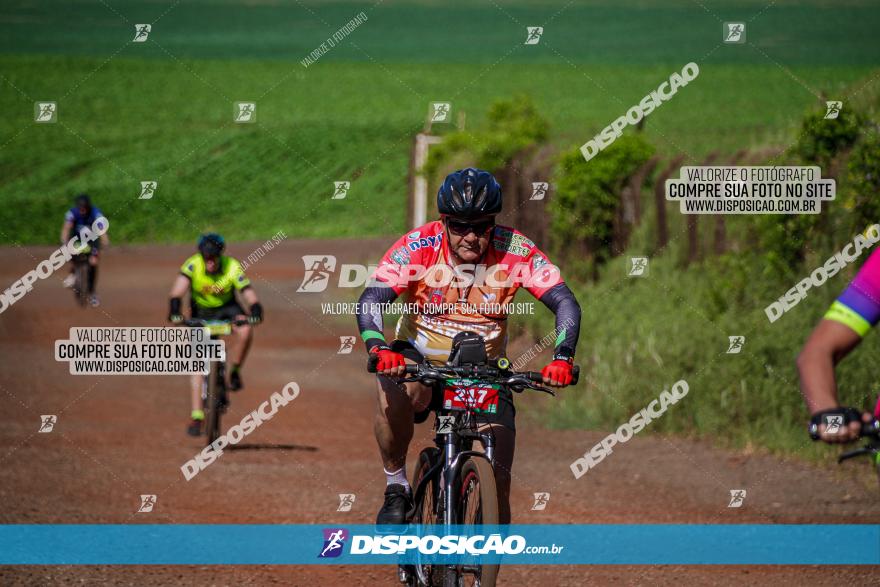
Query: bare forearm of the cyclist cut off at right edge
x=829 y=343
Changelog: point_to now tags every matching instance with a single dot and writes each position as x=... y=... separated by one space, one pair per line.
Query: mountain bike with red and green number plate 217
x=452 y=483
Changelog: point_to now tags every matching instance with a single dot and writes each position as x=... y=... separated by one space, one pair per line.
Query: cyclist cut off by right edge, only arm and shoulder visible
x=847 y=321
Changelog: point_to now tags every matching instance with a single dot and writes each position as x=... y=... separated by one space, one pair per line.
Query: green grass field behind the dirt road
x=162 y=110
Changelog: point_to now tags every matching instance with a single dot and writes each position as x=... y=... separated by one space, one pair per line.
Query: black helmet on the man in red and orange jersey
x=469 y=193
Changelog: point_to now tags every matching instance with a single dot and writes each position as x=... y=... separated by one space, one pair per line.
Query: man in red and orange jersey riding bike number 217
x=465 y=235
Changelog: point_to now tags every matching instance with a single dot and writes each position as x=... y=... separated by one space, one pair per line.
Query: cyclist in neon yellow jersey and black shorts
x=212 y=280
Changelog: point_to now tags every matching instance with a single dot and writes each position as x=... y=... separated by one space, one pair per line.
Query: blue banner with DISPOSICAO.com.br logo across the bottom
x=647 y=544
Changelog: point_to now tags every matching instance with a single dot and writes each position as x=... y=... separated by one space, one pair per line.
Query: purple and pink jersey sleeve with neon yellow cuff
x=859 y=305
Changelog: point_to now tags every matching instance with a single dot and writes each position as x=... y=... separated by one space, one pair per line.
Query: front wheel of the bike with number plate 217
x=477 y=505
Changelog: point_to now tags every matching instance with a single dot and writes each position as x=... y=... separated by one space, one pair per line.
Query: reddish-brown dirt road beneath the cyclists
x=118 y=437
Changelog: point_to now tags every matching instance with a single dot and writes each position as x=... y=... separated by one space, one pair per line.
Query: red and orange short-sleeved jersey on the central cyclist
x=456 y=298
